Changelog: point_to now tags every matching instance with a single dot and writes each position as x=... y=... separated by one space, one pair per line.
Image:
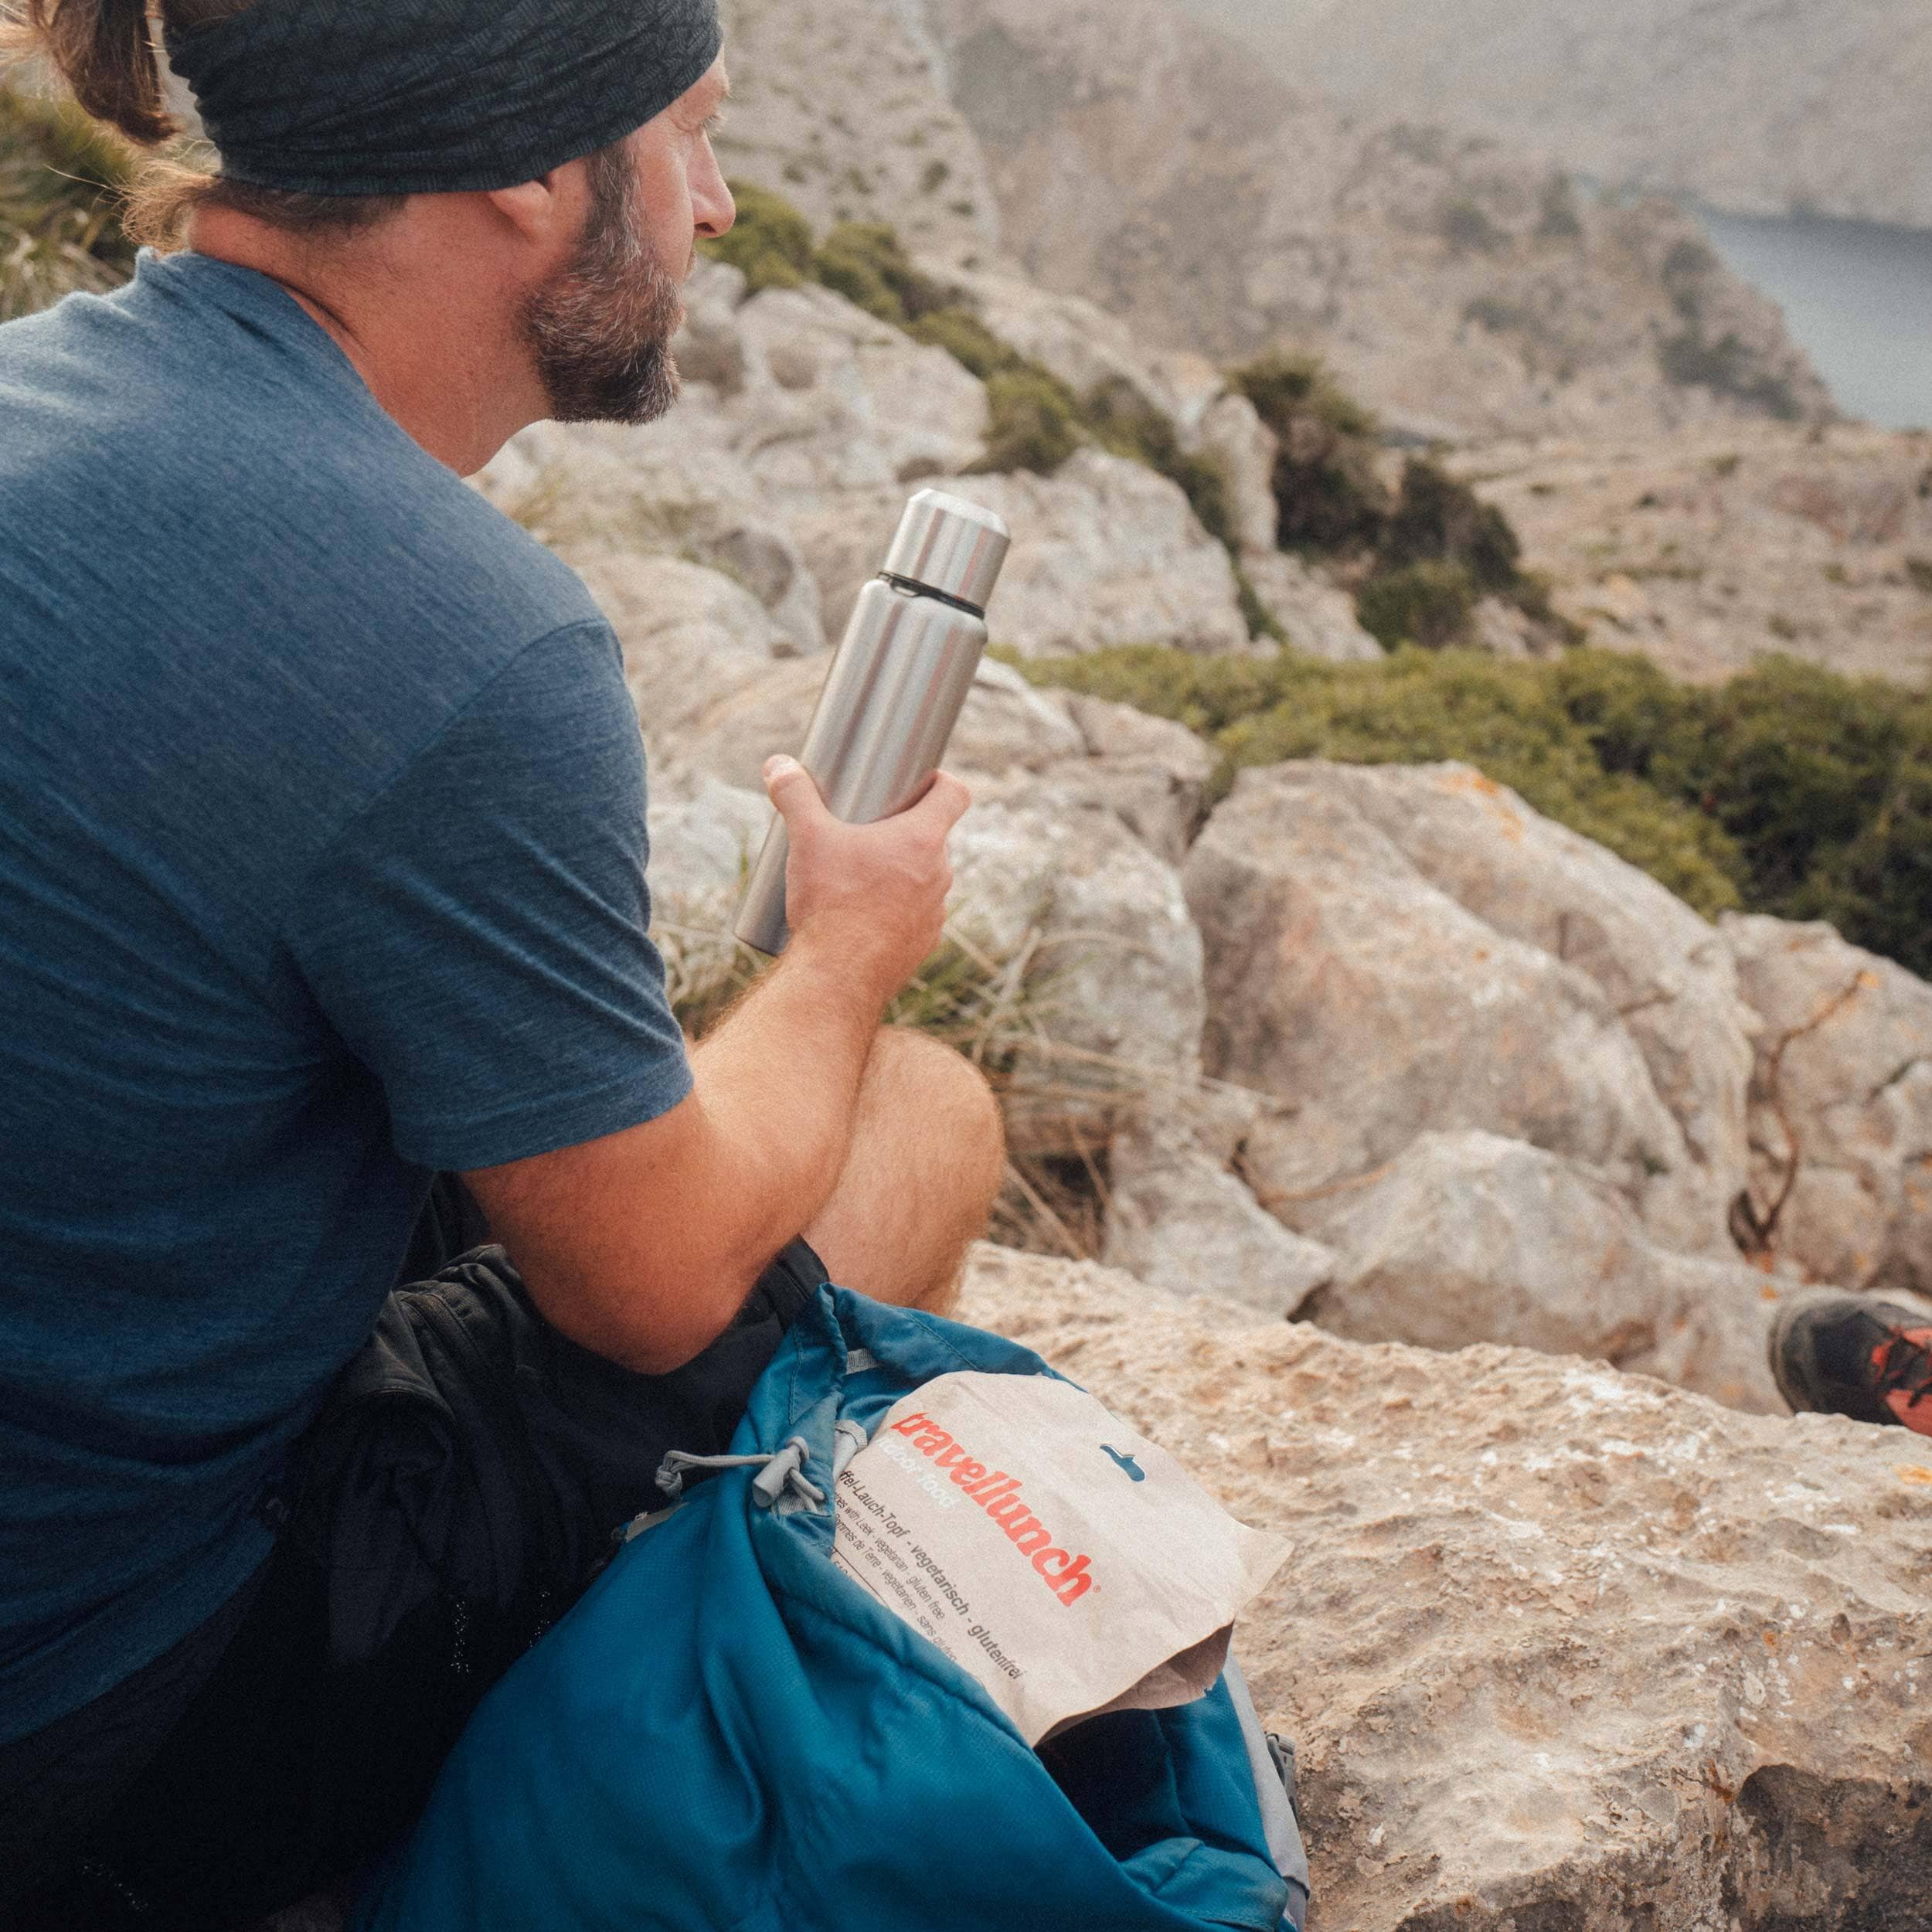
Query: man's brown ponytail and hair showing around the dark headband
x=105 y=51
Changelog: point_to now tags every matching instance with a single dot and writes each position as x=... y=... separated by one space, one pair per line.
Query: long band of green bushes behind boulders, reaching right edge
x=1790 y=791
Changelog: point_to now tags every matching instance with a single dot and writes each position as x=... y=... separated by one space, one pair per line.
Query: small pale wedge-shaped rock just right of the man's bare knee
x=1181 y=1222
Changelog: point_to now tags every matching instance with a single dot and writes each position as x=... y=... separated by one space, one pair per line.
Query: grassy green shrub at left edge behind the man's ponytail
x=61 y=177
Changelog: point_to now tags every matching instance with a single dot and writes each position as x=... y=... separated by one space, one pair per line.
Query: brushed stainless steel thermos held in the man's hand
x=895 y=687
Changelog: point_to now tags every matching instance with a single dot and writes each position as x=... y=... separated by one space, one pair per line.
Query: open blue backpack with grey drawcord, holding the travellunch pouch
x=731 y=1736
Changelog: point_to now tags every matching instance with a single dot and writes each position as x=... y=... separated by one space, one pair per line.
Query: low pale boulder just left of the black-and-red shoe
x=1469 y=1239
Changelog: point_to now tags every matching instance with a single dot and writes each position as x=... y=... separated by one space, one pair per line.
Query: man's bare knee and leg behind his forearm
x=917 y=1191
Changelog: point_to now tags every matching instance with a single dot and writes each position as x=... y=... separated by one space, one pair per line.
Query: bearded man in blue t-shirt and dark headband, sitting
x=322 y=872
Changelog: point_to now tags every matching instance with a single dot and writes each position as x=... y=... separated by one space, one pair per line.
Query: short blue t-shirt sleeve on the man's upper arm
x=480 y=934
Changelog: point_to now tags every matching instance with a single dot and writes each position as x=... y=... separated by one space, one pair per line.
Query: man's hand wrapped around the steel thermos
x=870 y=895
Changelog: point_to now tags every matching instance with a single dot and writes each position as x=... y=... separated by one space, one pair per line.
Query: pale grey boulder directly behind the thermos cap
x=1104 y=554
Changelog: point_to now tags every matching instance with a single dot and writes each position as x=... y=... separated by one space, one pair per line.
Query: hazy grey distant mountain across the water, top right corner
x=1753 y=105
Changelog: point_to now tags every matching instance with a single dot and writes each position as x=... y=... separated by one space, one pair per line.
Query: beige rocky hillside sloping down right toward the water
x=1460 y=285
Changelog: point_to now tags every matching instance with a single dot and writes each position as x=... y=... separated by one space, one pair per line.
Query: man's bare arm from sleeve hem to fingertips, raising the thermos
x=644 y=1245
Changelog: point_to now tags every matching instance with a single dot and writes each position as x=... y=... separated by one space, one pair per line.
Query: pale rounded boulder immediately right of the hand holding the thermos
x=1112 y=961
